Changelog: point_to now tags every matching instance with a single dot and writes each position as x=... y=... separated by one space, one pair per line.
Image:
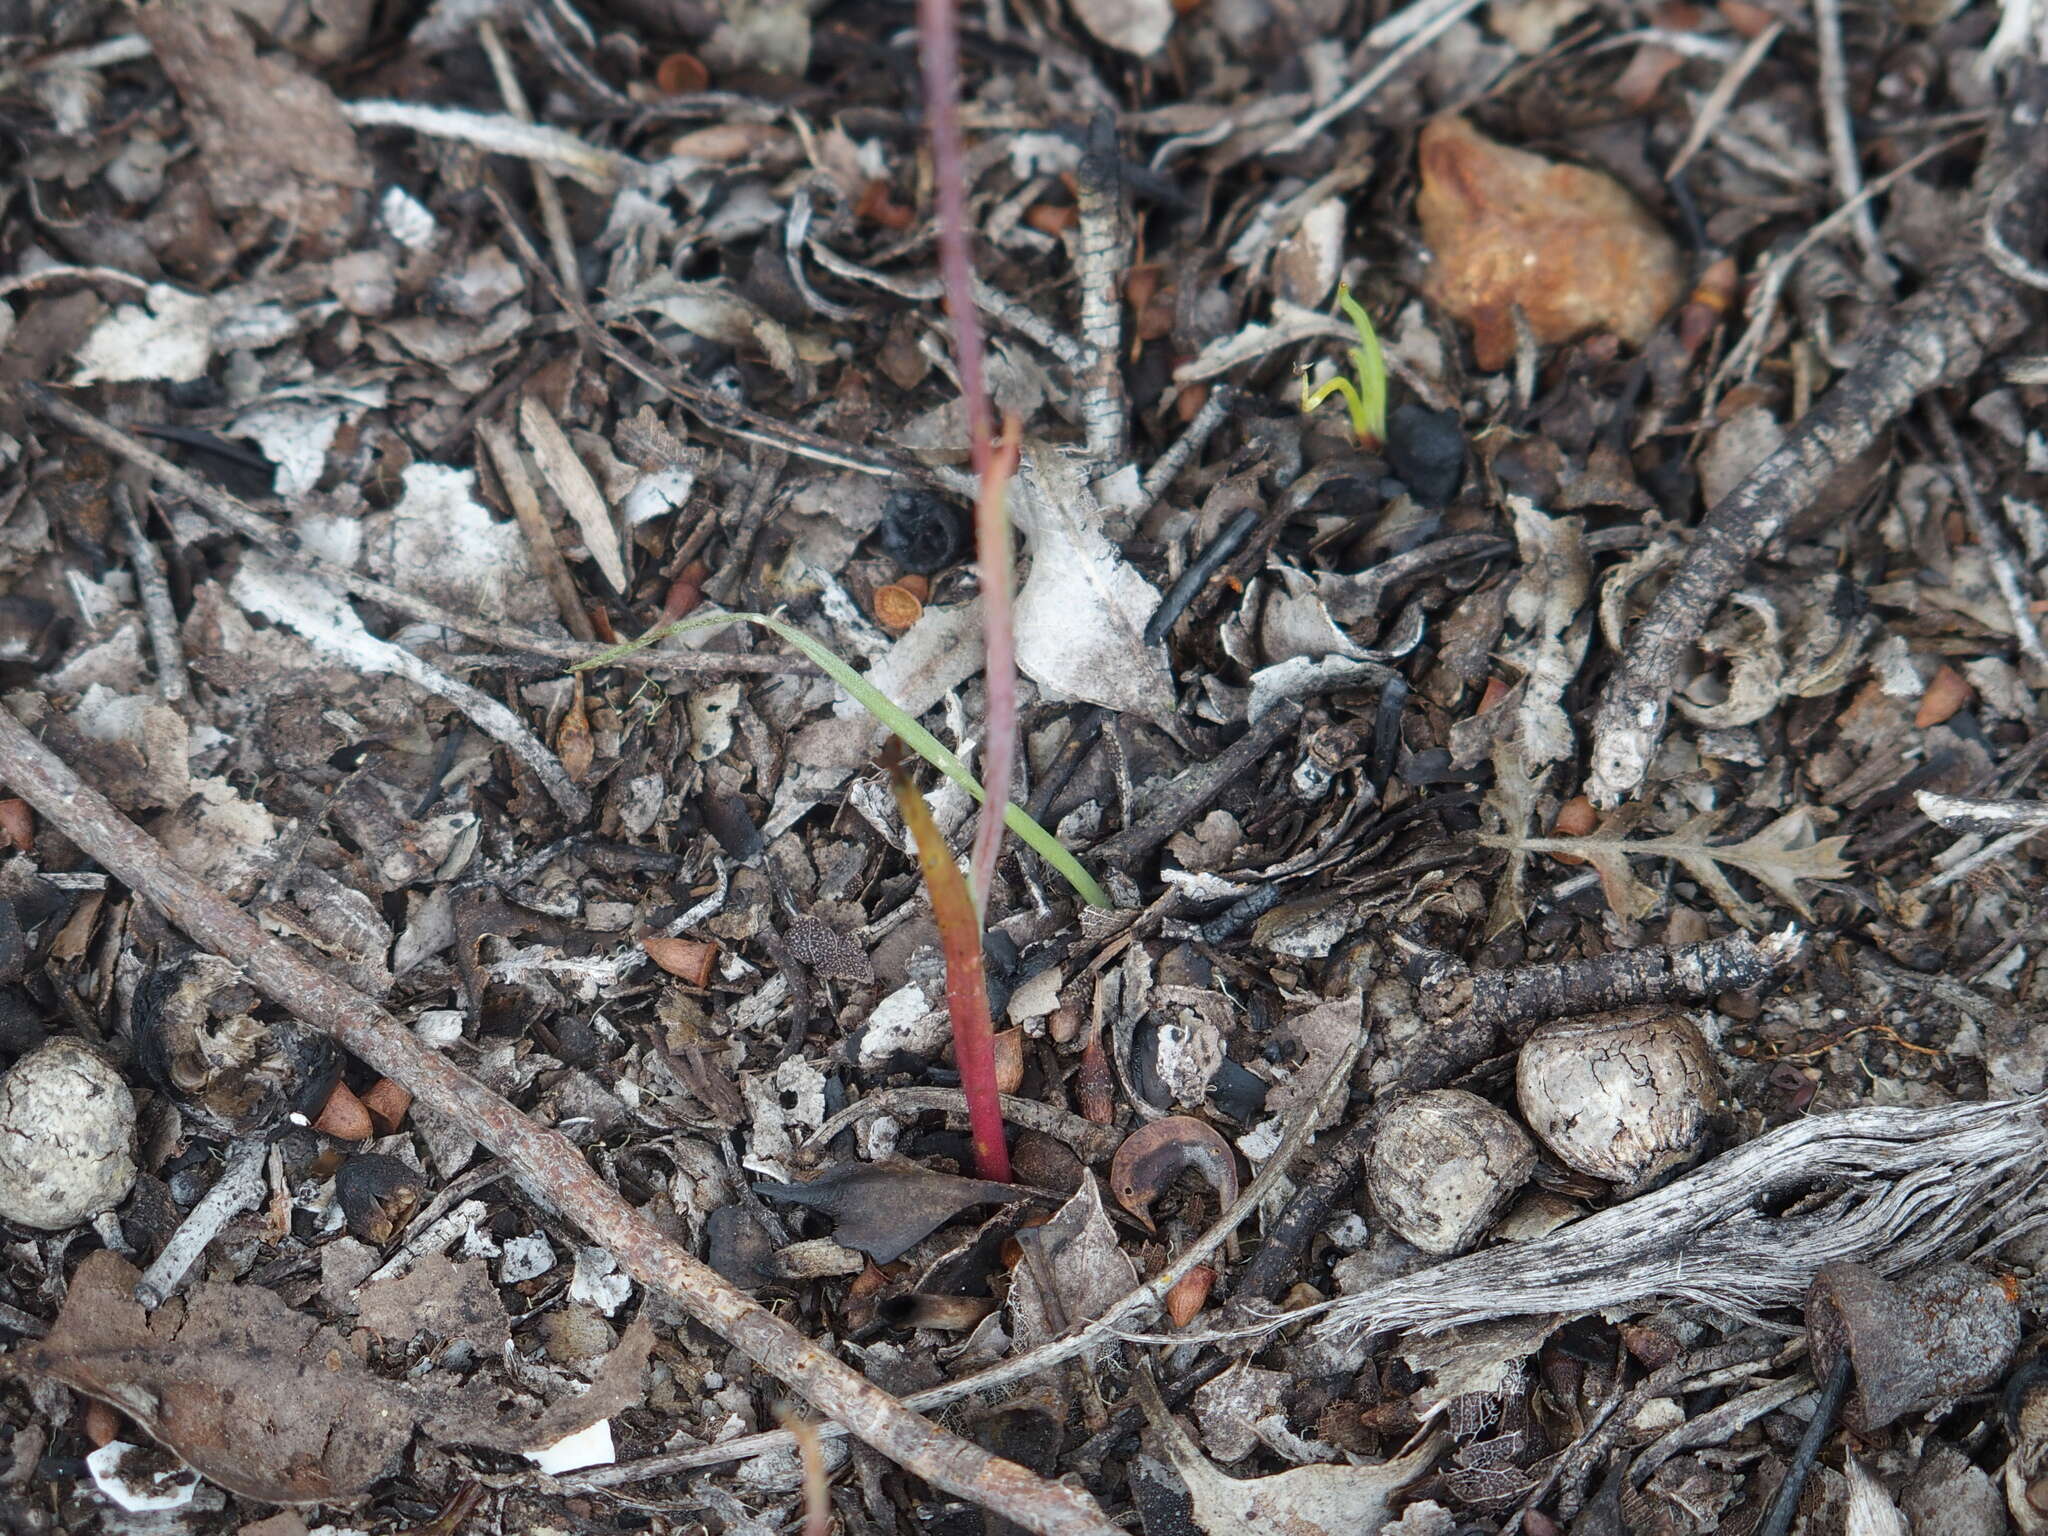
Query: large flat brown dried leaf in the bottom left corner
x=251 y=1394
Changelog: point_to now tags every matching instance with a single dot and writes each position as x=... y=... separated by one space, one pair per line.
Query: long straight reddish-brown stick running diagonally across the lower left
x=546 y=1160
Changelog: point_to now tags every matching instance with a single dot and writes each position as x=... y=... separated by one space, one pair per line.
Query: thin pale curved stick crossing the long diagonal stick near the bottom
x=1113 y=1324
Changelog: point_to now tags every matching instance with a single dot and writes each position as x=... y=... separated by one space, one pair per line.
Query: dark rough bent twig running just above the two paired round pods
x=1476 y=1017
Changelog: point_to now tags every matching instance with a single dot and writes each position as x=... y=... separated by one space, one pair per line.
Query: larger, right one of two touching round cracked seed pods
x=1621 y=1097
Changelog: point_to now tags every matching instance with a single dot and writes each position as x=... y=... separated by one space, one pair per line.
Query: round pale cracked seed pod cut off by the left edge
x=67 y=1134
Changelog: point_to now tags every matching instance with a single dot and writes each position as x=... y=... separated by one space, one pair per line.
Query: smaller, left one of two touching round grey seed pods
x=1443 y=1166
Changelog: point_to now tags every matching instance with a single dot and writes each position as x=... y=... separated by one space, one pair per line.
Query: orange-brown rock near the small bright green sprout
x=1568 y=245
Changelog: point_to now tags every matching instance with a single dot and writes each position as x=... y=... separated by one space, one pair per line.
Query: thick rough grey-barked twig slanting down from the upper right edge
x=1940 y=335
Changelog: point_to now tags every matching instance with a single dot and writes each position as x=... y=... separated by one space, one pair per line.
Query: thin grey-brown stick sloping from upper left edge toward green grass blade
x=239 y=517
